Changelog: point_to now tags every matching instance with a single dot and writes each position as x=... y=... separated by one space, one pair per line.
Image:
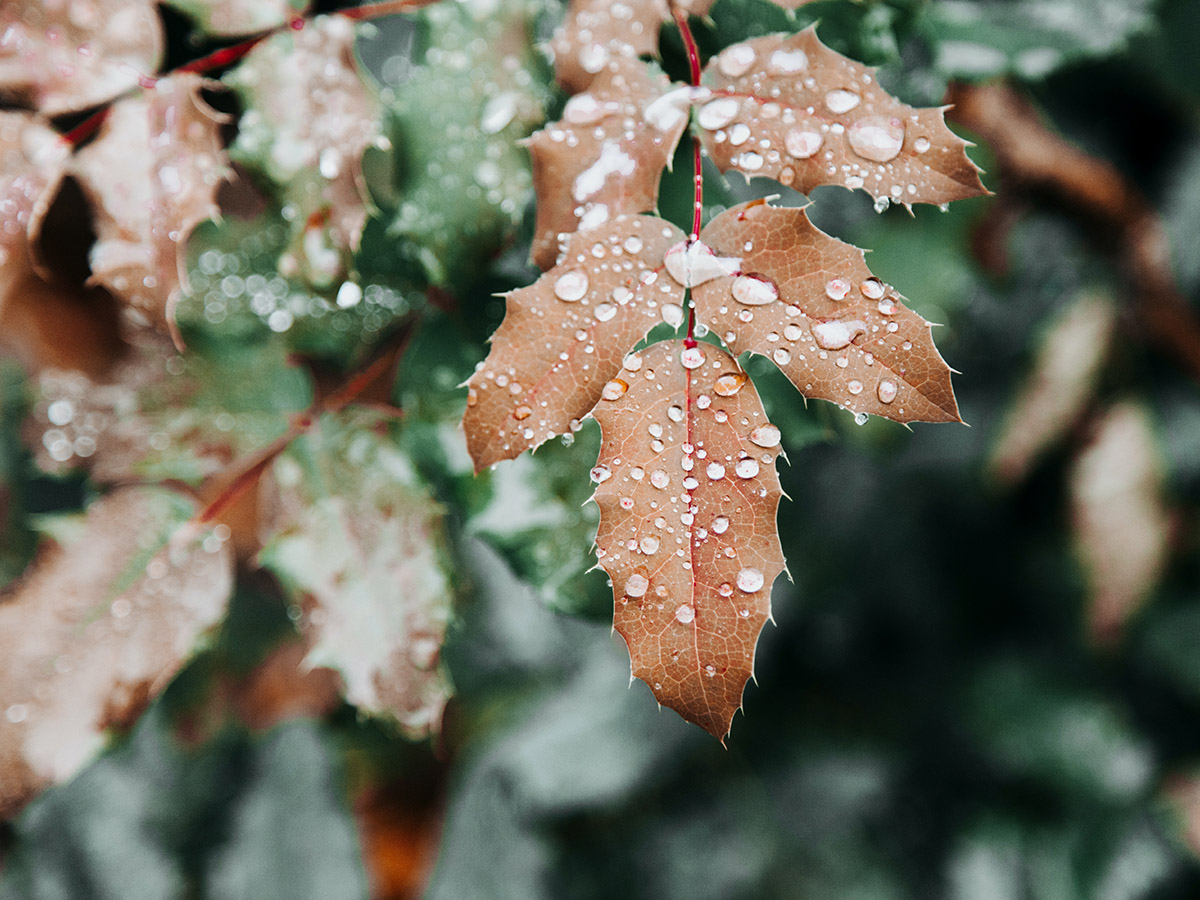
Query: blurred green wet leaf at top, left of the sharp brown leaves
x=463 y=179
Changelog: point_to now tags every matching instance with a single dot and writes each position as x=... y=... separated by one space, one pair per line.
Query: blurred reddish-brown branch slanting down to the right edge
x=1039 y=160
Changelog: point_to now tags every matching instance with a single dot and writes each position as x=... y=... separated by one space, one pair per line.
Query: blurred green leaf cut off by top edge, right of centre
x=1030 y=39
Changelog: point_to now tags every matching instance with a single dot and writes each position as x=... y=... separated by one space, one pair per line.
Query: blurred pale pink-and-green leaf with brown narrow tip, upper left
x=309 y=119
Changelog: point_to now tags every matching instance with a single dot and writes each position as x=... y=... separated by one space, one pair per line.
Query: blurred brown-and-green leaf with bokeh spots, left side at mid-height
x=161 y=417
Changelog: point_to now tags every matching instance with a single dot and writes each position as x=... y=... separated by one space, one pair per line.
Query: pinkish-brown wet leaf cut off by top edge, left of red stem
x=598 y=34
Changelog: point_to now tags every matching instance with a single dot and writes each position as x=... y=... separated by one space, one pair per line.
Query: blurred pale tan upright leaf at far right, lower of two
x=1120 y=519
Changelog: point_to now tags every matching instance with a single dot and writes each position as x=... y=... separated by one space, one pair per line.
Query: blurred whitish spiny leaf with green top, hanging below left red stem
x=358 y=541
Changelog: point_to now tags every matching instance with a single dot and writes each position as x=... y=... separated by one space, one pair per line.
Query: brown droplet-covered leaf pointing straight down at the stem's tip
x=688 y=496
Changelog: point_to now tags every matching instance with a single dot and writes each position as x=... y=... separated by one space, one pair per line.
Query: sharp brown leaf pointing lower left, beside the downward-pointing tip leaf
x=565 y=337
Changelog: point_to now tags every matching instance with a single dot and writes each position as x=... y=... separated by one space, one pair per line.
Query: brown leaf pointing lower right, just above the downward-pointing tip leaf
x=809 y=303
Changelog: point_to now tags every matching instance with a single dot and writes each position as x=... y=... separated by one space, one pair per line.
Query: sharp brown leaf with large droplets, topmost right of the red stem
x=790 y=109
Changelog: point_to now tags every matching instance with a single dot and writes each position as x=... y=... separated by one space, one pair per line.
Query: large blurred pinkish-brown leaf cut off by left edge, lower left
x=97 y=629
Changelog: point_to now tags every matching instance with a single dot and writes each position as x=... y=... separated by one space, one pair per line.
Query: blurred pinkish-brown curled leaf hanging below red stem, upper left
x=152 y=176
